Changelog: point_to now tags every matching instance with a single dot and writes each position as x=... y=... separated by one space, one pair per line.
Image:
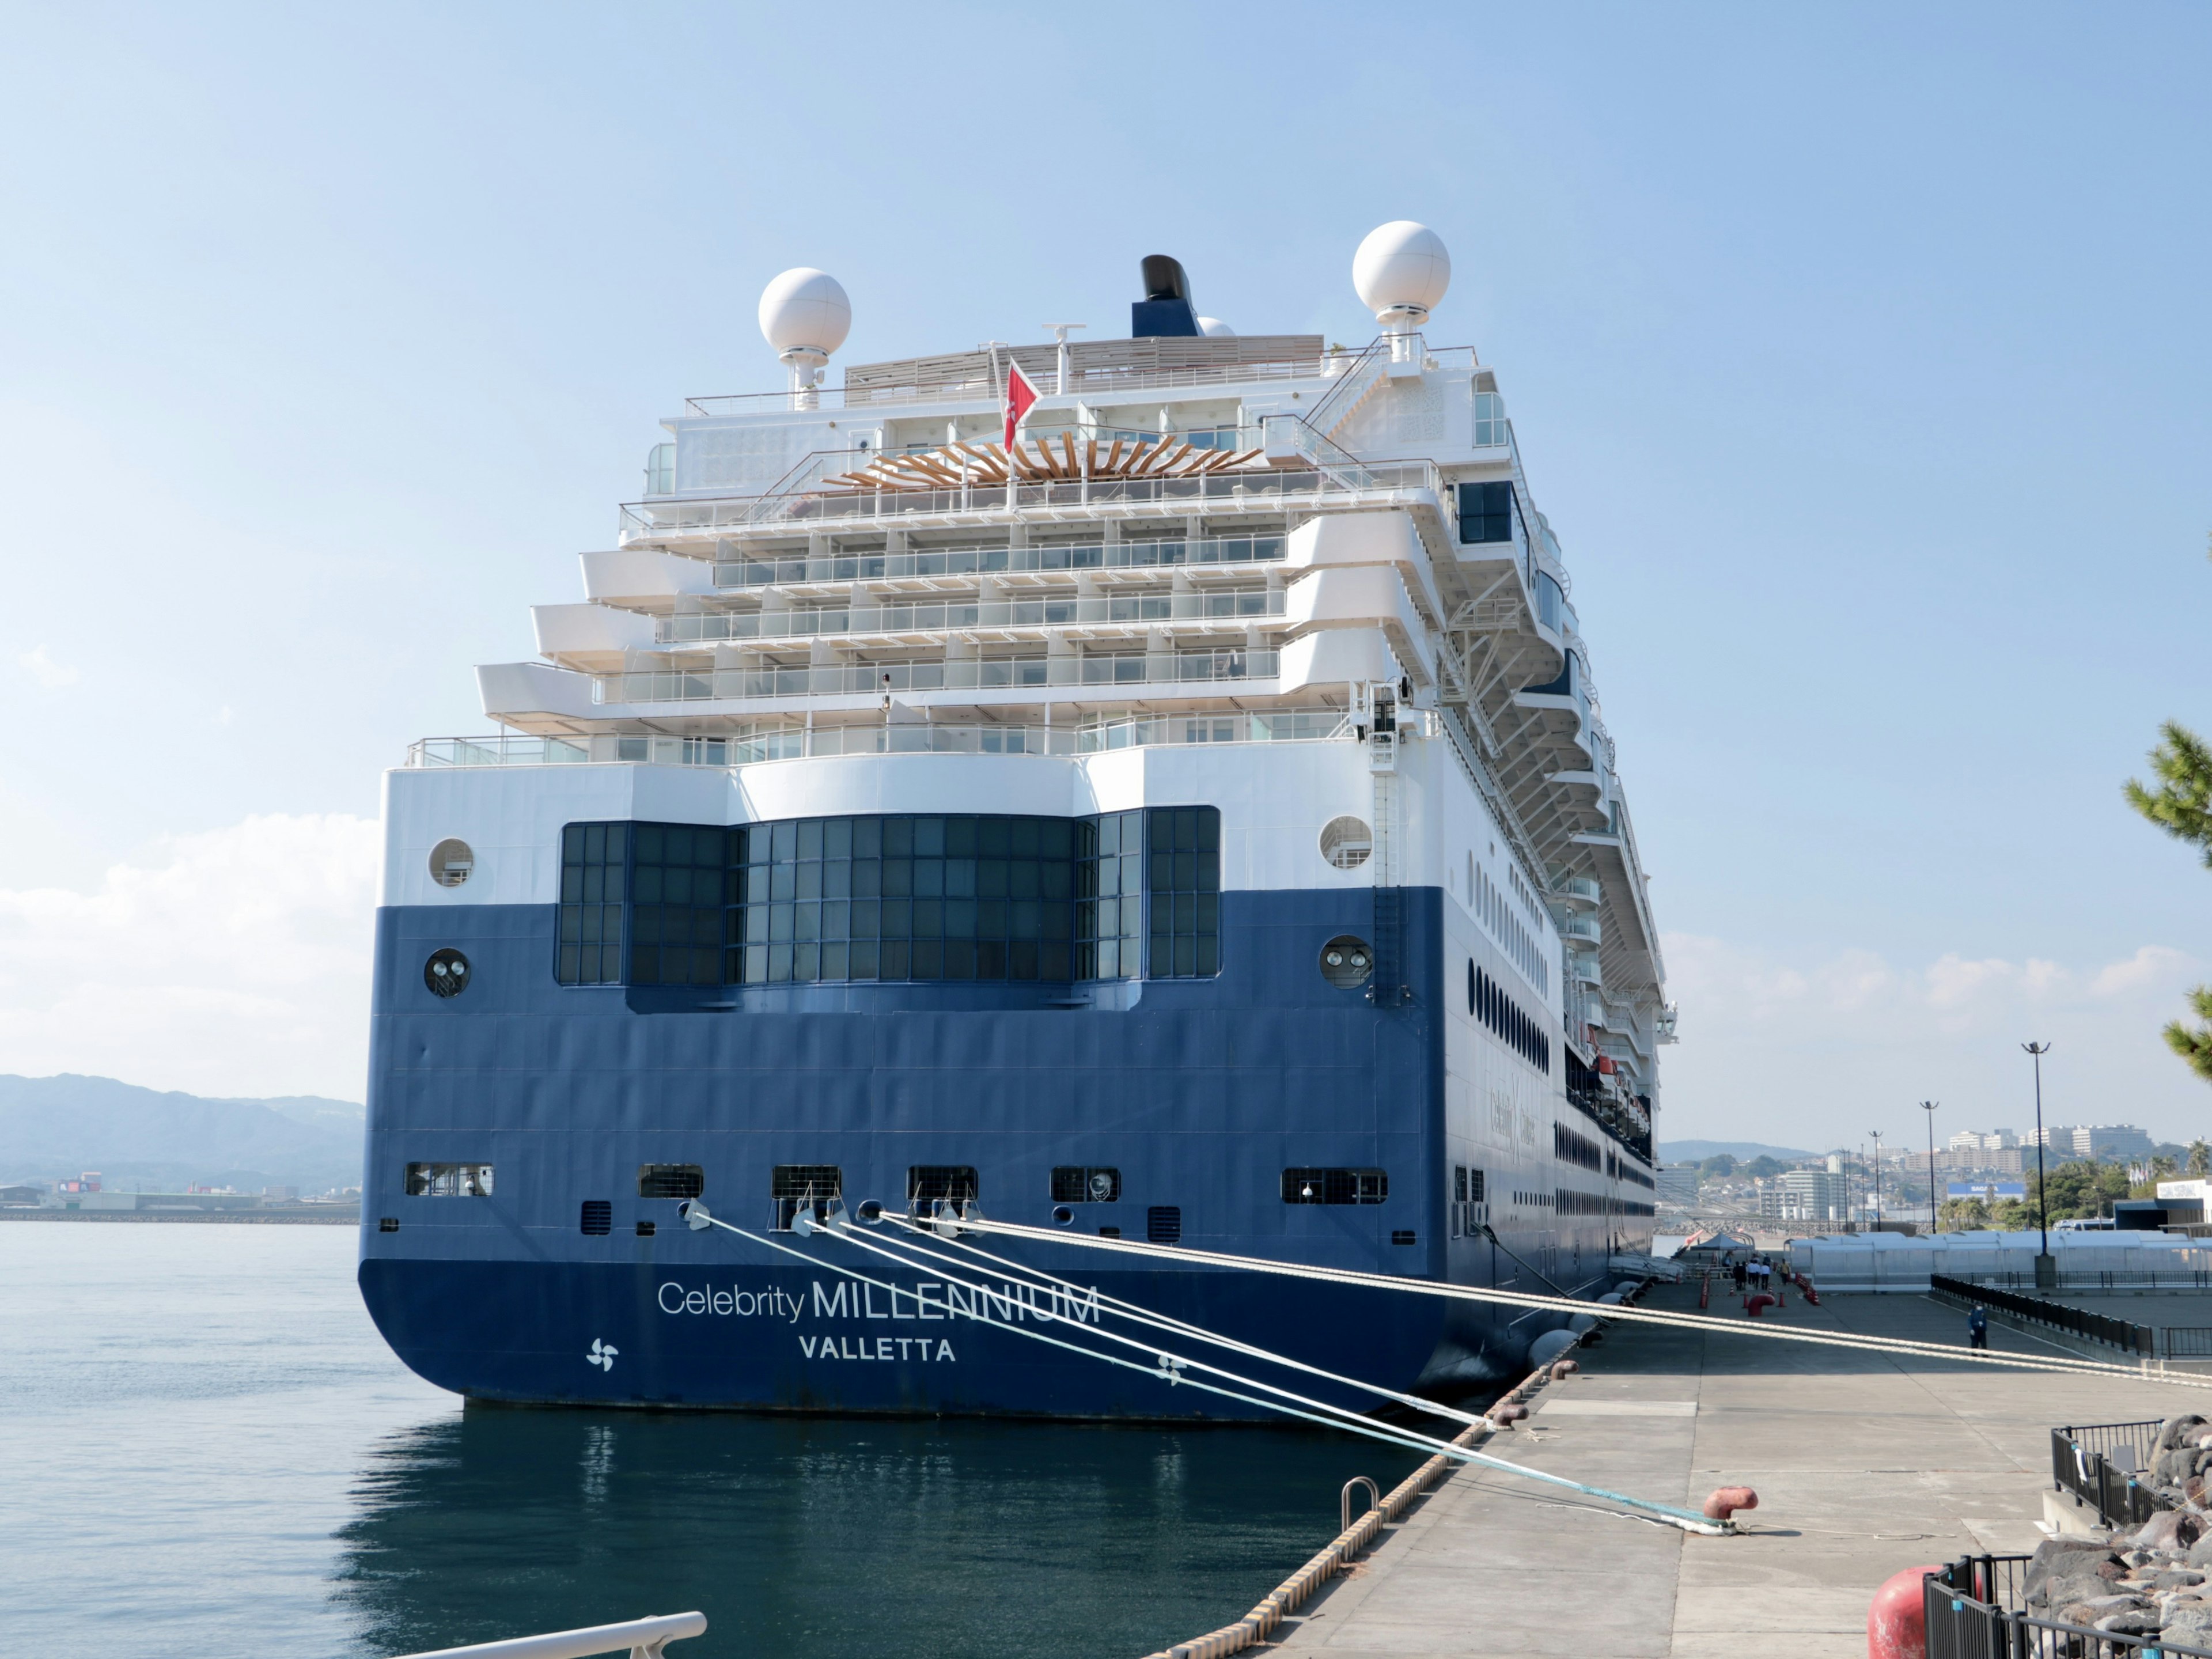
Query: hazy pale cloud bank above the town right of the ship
x=1817 y=1054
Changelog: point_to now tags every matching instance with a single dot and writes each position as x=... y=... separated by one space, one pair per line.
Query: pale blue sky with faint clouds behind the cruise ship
x=1857 y=353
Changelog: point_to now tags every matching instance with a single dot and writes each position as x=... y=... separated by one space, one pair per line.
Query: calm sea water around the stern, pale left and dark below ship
x=205 y=1448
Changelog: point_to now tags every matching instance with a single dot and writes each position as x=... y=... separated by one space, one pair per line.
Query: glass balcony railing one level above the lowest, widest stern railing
x=981 y=674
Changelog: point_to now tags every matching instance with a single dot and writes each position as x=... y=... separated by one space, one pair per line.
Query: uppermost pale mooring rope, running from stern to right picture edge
x=1895 y=1346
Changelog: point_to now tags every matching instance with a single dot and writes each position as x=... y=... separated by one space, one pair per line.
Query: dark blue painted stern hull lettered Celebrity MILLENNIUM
x=1200 y=1094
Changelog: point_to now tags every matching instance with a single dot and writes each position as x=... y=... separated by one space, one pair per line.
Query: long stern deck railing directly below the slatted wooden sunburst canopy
x=1246 y=488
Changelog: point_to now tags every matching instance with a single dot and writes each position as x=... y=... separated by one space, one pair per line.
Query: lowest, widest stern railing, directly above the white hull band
x=793 y=742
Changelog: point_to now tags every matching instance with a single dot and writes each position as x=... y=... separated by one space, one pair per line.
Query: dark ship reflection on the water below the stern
x=835 y=1536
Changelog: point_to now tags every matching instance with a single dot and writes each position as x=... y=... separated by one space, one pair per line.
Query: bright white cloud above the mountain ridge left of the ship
x=238 y=963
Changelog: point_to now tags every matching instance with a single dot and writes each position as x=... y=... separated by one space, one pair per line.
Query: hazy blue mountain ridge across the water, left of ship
x=143 y=1138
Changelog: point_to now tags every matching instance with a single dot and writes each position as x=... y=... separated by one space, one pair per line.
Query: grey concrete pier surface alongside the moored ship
x=1864 y=1468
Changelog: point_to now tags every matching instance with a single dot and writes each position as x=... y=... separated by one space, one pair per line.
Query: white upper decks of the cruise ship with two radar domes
x=1311 y=581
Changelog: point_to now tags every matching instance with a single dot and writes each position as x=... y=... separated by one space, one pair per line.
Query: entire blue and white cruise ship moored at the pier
x=1140 y=789
